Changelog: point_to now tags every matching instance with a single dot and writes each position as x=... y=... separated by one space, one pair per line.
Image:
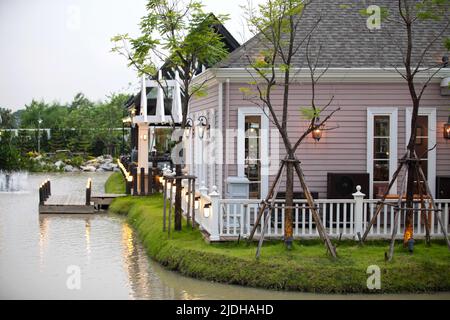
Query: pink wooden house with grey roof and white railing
x=370 y=132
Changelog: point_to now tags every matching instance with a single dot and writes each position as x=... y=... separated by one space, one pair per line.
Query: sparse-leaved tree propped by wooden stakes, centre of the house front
x=279 y=30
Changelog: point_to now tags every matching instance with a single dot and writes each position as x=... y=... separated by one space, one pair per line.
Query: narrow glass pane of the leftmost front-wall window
x=253 y=154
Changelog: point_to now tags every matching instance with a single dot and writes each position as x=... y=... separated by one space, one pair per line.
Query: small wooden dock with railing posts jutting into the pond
x=73 y=204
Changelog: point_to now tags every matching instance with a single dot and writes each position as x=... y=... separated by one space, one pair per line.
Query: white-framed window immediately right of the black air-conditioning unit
x=381 y=149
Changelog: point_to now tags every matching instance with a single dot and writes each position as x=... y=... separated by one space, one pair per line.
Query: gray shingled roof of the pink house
x=345 y=39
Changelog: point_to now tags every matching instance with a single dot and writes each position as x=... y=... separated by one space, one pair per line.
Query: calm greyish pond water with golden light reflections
x=35 y=253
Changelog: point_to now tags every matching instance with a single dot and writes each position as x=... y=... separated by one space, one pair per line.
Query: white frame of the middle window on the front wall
x=393 y=143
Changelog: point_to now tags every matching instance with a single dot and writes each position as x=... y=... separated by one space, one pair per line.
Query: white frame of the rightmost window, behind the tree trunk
x=432 y=140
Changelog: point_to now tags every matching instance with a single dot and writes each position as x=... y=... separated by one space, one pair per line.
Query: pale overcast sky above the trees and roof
x=52 y=49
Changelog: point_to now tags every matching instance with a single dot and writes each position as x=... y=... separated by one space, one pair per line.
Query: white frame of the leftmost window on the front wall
x=264 y=148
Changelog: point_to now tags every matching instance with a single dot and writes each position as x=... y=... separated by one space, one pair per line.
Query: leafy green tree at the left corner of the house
x=179 y=33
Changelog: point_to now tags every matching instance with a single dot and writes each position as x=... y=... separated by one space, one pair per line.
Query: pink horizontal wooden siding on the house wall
x=344 y=150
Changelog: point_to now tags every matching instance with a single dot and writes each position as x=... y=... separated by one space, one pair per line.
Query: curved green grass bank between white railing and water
x=306 y=267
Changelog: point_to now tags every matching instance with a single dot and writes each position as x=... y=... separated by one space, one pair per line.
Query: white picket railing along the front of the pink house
x=229 y=219
